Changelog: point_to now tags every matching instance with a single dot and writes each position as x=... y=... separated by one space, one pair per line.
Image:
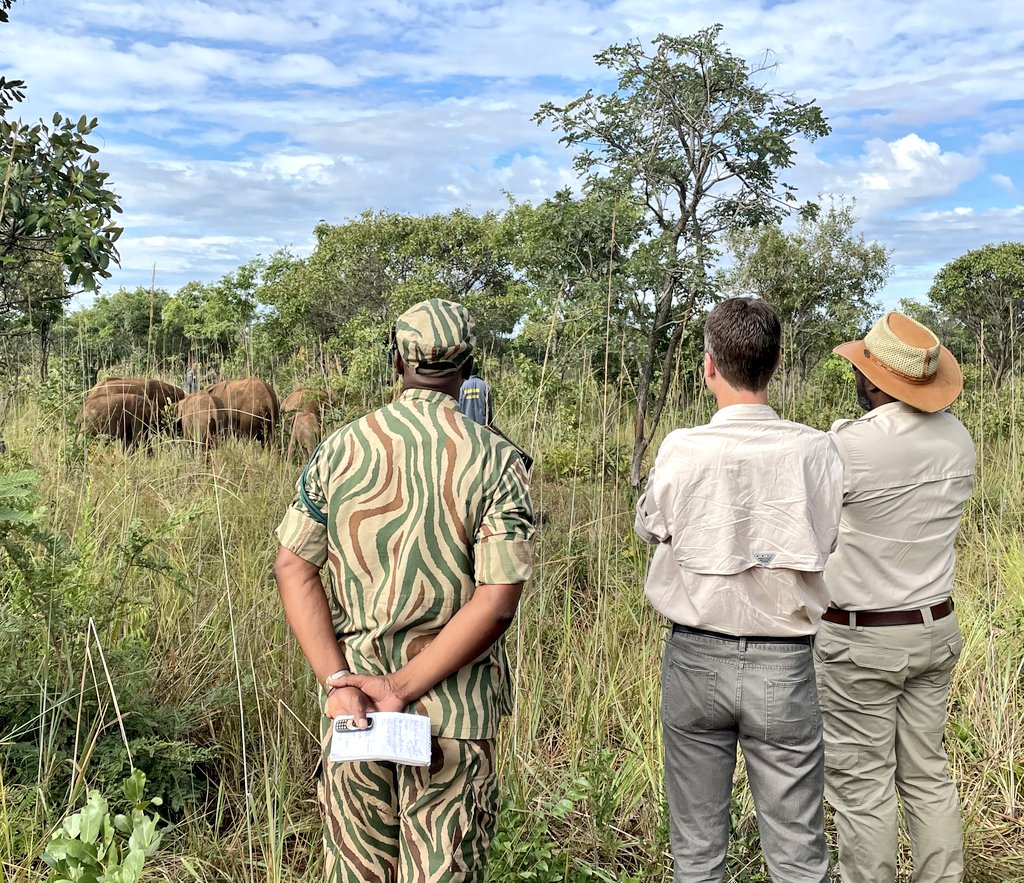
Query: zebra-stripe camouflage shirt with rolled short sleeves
x=411 y=509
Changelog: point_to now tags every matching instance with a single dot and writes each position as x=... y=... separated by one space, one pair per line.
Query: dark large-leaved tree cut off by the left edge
x=56 y=208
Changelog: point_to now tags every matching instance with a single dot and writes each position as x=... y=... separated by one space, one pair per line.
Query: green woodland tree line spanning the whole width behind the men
x=682 y=199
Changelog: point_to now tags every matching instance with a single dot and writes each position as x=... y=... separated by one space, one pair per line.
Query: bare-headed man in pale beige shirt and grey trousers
x=745 y=512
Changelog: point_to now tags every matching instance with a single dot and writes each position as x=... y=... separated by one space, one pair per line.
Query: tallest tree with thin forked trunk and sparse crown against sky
x=694 y=137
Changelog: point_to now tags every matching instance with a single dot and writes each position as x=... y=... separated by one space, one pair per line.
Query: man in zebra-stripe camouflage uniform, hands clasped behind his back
x=424 y=521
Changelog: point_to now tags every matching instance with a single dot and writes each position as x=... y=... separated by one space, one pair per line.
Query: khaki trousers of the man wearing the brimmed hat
x=883 y=694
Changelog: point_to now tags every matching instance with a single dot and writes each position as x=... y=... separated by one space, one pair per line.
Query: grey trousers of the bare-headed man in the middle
x=717 y=692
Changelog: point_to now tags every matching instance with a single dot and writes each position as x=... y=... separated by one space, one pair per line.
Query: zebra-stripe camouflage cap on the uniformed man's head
x=435 y=338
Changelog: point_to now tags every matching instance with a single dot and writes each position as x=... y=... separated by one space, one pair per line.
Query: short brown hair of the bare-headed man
x=744 y=338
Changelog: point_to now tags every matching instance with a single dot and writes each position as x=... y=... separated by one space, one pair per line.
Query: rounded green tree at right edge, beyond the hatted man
x=983 y=291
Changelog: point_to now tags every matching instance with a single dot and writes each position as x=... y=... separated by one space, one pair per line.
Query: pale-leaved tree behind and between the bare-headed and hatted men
x=821 y=279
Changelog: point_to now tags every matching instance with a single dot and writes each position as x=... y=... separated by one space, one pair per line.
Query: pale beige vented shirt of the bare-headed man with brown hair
x=745 y=511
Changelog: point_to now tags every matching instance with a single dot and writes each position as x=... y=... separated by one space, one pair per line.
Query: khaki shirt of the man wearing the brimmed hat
x=908 y=477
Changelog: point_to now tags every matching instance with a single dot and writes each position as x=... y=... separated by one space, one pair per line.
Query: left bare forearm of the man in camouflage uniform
x=308 y=612
